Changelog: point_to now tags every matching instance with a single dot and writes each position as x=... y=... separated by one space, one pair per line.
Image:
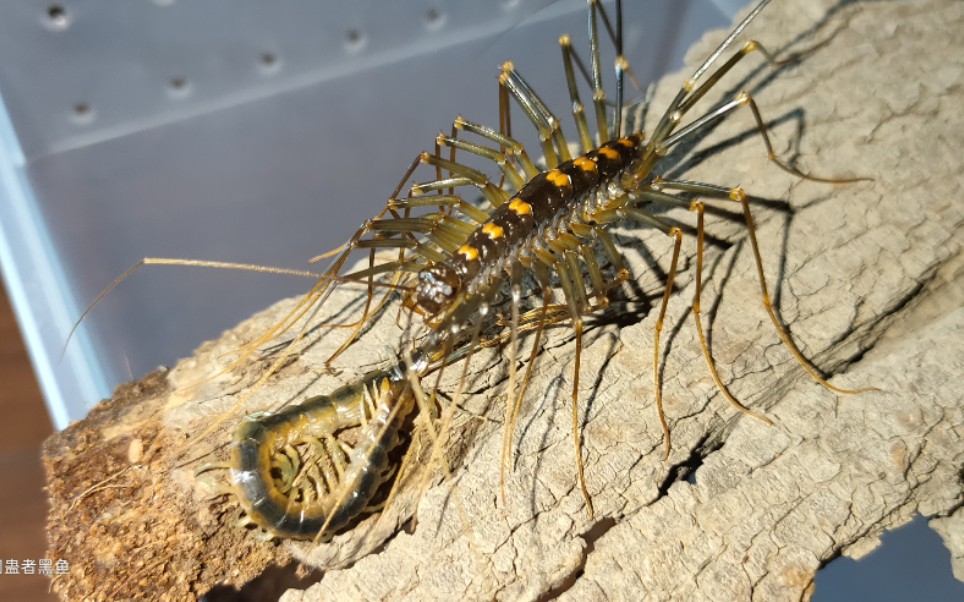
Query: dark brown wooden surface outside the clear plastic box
x=24 y=424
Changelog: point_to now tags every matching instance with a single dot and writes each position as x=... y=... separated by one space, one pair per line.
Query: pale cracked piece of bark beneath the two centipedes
x=868 y=276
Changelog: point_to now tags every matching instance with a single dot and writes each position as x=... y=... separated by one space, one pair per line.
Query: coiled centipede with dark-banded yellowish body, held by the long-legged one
x=291 y=497
